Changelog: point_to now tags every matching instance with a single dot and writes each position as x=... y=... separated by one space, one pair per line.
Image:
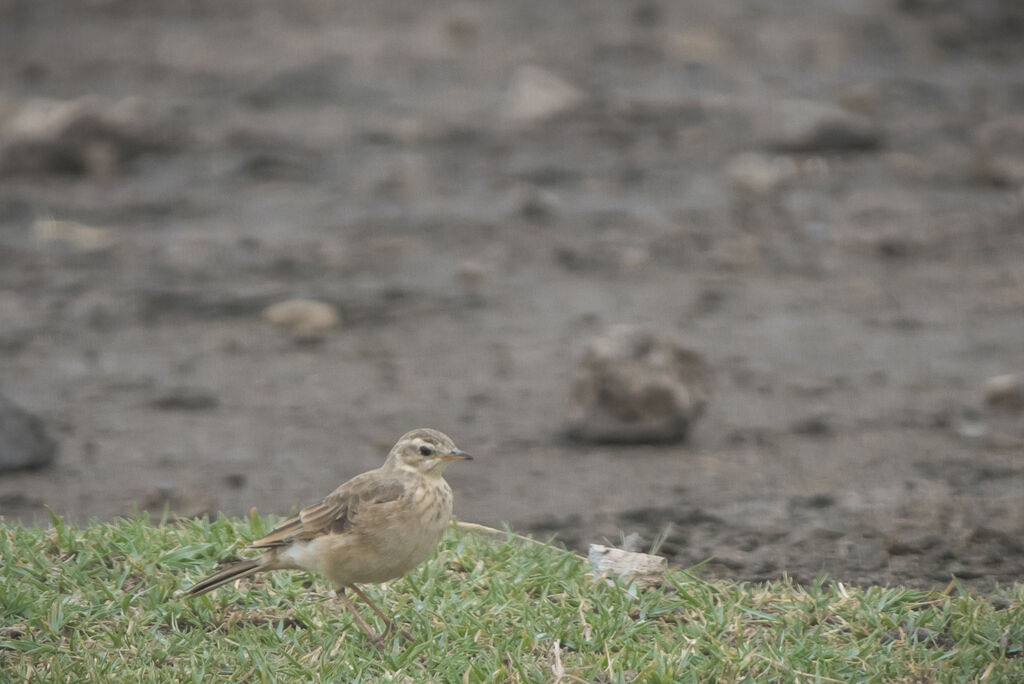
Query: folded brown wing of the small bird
x=338 y=511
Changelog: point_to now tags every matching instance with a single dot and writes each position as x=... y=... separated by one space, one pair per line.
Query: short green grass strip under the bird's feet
x=98 y=605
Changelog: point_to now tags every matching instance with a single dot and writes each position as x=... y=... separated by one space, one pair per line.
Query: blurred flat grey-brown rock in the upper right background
x=805 y=126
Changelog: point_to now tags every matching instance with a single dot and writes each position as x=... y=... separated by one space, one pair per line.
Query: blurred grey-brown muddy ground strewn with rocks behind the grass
x=245 y=246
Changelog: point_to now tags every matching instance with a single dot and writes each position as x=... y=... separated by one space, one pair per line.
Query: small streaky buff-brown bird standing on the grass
x=376 y=527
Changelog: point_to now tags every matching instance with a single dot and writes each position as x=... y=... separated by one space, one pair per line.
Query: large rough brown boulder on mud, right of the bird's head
x=637 y=387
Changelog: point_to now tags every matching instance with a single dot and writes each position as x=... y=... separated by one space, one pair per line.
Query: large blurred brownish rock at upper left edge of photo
x=81 y=137
